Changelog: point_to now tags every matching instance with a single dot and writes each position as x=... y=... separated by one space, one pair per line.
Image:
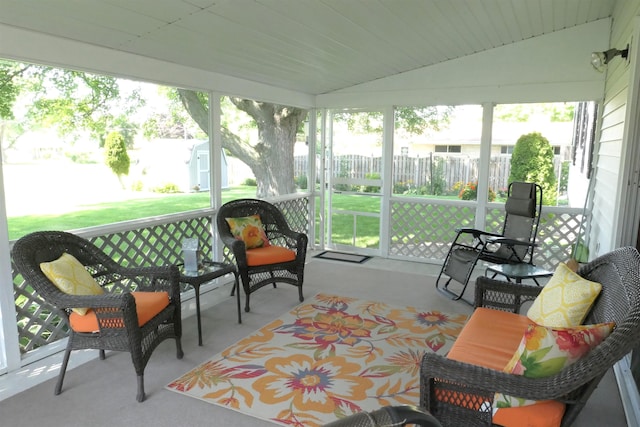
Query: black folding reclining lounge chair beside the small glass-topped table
x=515 y=244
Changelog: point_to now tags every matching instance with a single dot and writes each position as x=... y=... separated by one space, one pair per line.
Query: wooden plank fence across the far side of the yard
x=444 y=170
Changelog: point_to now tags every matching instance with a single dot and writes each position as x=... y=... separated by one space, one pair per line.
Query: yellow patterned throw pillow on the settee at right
x=565 y=301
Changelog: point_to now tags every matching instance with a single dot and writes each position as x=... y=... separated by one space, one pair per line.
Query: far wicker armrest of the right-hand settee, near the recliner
x=502 y=295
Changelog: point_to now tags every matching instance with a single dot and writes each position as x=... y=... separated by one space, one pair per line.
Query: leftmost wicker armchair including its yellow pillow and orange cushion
x=104 y=305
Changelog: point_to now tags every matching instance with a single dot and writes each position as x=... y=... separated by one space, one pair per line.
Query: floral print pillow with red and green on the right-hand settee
x=546 y=351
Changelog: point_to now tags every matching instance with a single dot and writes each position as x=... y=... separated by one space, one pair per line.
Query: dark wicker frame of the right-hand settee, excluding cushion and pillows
x=443 y=381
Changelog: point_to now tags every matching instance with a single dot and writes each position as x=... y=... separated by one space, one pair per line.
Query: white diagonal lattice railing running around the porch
x=420 y=229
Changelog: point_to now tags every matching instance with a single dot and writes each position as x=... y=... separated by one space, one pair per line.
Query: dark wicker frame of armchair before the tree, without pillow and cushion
x=278 y=232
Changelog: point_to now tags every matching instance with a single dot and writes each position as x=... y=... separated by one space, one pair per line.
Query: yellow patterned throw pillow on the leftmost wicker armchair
x=70 y=276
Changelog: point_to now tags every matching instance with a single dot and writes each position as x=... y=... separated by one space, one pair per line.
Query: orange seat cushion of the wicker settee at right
x=490 y=338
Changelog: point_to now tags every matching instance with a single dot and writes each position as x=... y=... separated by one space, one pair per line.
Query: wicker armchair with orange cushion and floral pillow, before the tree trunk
x=265 y=249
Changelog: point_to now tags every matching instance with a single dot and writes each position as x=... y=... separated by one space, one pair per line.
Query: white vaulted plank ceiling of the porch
x=310 y=46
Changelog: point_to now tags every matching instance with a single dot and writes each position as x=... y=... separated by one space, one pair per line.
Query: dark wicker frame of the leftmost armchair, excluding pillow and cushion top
x=115 y=309
